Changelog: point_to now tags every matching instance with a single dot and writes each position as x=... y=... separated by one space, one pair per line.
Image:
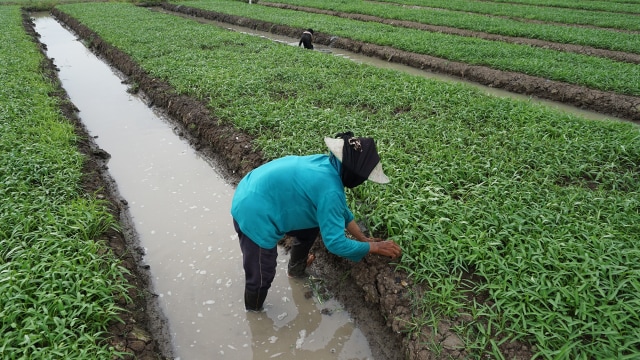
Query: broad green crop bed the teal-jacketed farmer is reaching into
x=542 y=205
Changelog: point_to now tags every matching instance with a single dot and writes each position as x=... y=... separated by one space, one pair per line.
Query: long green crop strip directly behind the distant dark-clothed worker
x=592 y=72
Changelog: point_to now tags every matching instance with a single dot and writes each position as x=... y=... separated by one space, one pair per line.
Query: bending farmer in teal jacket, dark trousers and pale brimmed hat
x=303 y=196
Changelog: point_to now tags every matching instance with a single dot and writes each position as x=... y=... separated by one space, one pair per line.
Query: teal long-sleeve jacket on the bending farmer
x=293 y=193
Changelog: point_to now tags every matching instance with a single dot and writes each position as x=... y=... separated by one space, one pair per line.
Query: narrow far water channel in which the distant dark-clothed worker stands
x=404 y=68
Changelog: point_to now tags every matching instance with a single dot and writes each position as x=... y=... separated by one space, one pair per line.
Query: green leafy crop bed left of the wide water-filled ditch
x=57 y=285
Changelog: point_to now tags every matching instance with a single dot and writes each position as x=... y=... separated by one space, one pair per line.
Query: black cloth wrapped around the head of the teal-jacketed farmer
x=359 y=158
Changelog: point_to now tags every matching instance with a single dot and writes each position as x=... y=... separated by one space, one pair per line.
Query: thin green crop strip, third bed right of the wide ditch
x=597 y=38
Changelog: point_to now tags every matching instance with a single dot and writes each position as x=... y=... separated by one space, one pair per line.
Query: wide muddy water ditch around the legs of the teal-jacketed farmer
x=180 y=207
